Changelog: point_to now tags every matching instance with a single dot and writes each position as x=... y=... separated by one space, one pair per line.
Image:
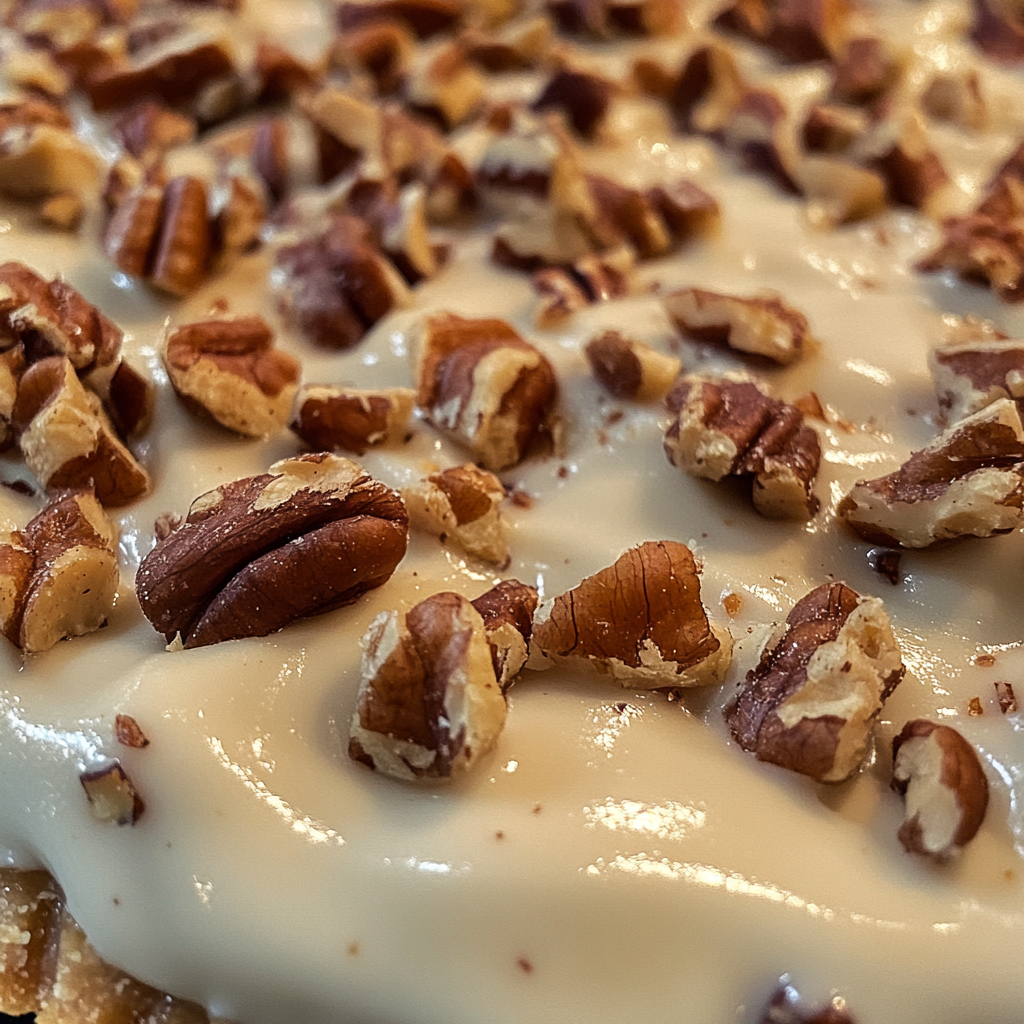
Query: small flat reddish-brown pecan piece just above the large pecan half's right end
x=329 y=417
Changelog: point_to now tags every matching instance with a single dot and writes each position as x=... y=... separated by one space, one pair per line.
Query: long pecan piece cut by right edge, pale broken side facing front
x=968 y=483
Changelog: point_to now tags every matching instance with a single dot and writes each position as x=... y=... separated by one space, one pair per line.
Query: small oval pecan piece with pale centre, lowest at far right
x=940 y=774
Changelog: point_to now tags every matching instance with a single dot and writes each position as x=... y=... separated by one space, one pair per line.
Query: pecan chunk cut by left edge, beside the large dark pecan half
x=59 y=577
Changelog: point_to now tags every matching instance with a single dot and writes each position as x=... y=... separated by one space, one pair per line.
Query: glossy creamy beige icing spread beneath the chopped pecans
x=618 y=858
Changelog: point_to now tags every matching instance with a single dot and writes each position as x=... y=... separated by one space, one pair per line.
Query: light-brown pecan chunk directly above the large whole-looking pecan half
x=231 y=369
